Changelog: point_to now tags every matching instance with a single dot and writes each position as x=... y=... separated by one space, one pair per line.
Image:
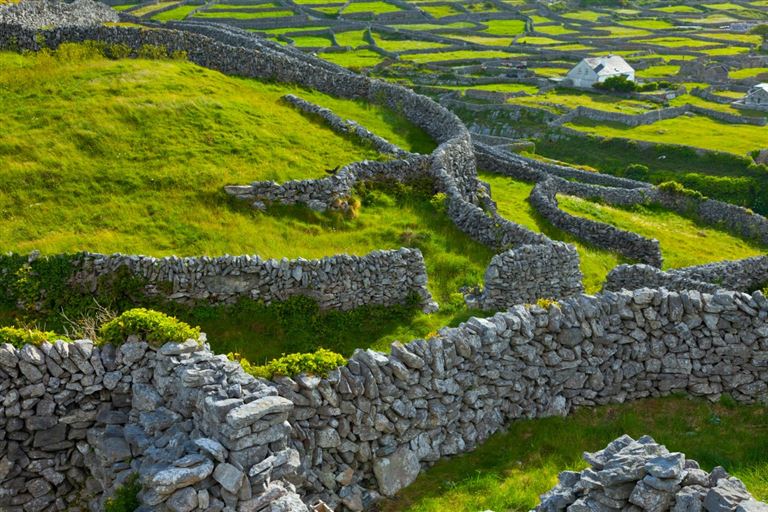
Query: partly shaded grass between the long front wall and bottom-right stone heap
x=510 y=470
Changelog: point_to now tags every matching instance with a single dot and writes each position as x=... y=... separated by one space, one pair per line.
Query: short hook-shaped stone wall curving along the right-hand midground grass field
x=633 y=246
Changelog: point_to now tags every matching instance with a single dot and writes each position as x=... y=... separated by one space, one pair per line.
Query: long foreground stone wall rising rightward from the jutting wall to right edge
x=370 y=426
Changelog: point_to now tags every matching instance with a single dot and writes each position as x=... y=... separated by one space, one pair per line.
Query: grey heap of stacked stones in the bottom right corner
x=643 y=475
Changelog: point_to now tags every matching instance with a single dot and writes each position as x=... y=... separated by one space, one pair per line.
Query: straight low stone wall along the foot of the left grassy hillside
x=342 y=282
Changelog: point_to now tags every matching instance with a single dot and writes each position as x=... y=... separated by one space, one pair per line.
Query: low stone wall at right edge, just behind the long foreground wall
x=742 y=275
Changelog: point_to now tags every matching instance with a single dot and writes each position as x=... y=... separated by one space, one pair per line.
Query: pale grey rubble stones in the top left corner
x=36 y=14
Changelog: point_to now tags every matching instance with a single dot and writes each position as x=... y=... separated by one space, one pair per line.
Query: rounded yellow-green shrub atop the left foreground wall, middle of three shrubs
x=152 y=326
